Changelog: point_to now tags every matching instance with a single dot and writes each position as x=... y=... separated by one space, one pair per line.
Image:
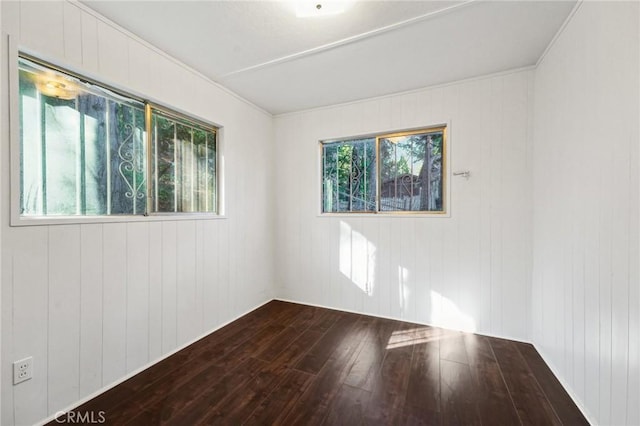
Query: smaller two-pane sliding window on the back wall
x=399 y=172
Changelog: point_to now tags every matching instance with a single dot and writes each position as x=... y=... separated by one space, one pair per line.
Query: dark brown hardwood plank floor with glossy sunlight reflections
x=293 y=364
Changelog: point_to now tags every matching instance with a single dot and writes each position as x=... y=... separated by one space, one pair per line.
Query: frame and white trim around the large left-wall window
x=17 y=219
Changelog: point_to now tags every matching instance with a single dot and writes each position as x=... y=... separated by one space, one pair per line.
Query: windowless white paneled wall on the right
x=586 y=295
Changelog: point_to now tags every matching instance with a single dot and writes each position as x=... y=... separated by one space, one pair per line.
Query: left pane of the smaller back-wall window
x=349 y=176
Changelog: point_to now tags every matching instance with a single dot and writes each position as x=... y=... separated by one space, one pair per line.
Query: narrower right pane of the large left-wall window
x=184 y=164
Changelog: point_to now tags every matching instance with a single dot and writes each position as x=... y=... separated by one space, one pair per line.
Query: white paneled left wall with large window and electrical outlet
x=94 y=302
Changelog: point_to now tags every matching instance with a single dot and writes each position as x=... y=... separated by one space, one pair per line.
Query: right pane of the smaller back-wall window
x=411 y=172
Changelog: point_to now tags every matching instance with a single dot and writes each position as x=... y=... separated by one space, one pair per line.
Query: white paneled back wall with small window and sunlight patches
x=470 y=271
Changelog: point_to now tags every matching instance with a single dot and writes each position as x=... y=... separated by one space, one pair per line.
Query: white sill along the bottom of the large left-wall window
x=80 y=220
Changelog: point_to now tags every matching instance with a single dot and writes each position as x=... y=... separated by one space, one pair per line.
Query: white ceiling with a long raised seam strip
x=282 y=63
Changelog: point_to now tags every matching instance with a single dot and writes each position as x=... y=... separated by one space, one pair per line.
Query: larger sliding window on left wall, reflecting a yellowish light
x=86 y=150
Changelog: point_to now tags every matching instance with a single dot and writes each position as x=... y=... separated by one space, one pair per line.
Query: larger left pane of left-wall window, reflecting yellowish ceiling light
x=82 y=147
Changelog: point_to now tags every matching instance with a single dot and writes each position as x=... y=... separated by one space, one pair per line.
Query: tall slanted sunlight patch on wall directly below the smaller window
x=357 y=258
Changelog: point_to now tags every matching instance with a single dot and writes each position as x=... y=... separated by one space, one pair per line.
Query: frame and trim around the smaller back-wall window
x=444 y=126
